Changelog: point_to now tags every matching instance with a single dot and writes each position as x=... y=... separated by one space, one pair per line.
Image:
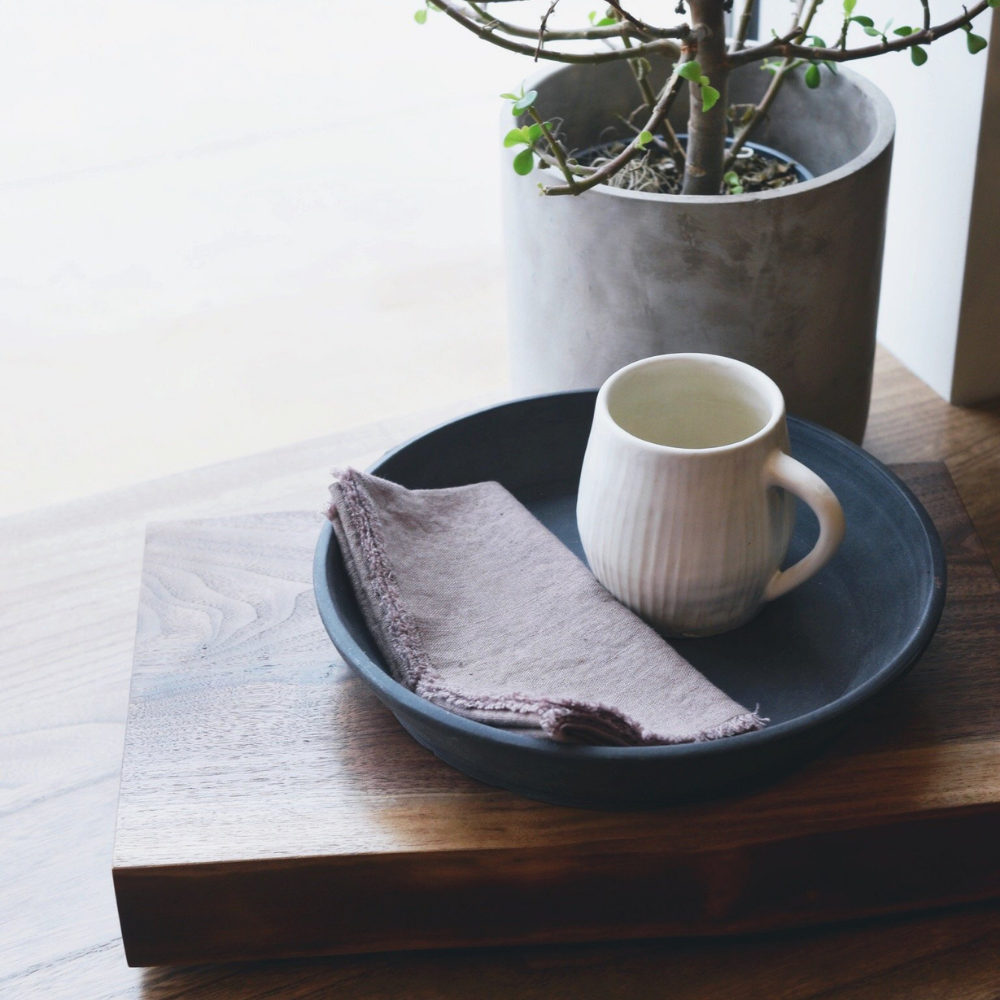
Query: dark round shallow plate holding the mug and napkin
x=810 y=660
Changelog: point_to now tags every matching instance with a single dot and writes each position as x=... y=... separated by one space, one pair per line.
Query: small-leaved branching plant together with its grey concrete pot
x=675 y=189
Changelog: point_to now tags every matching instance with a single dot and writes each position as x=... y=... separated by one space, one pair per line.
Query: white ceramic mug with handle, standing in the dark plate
x=683 y=509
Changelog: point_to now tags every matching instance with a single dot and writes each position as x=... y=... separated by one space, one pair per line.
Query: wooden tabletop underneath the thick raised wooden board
x=68 y=595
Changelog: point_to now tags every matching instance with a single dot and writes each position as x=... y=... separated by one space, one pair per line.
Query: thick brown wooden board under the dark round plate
x=271 y=807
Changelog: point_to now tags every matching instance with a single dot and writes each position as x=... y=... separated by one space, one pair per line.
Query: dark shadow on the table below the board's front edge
x=928 y=955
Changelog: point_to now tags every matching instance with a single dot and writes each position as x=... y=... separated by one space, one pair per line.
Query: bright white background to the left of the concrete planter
x=228 y=225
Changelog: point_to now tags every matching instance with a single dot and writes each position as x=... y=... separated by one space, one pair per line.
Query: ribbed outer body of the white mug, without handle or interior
x=689 y=539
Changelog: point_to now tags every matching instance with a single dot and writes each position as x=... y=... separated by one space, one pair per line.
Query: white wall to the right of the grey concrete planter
x=938 y=107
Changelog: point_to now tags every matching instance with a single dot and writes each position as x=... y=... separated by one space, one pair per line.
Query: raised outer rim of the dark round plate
x=390 y=690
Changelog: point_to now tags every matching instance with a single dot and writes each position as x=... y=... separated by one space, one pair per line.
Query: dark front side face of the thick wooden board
x=326 y=906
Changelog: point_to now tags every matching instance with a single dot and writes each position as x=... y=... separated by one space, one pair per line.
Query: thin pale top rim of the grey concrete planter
x=885 y=129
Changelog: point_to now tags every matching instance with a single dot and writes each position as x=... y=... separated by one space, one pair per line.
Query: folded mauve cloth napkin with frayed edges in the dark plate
x=478 y=608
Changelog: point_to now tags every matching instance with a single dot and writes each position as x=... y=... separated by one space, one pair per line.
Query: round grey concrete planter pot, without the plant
x=787 y=281
